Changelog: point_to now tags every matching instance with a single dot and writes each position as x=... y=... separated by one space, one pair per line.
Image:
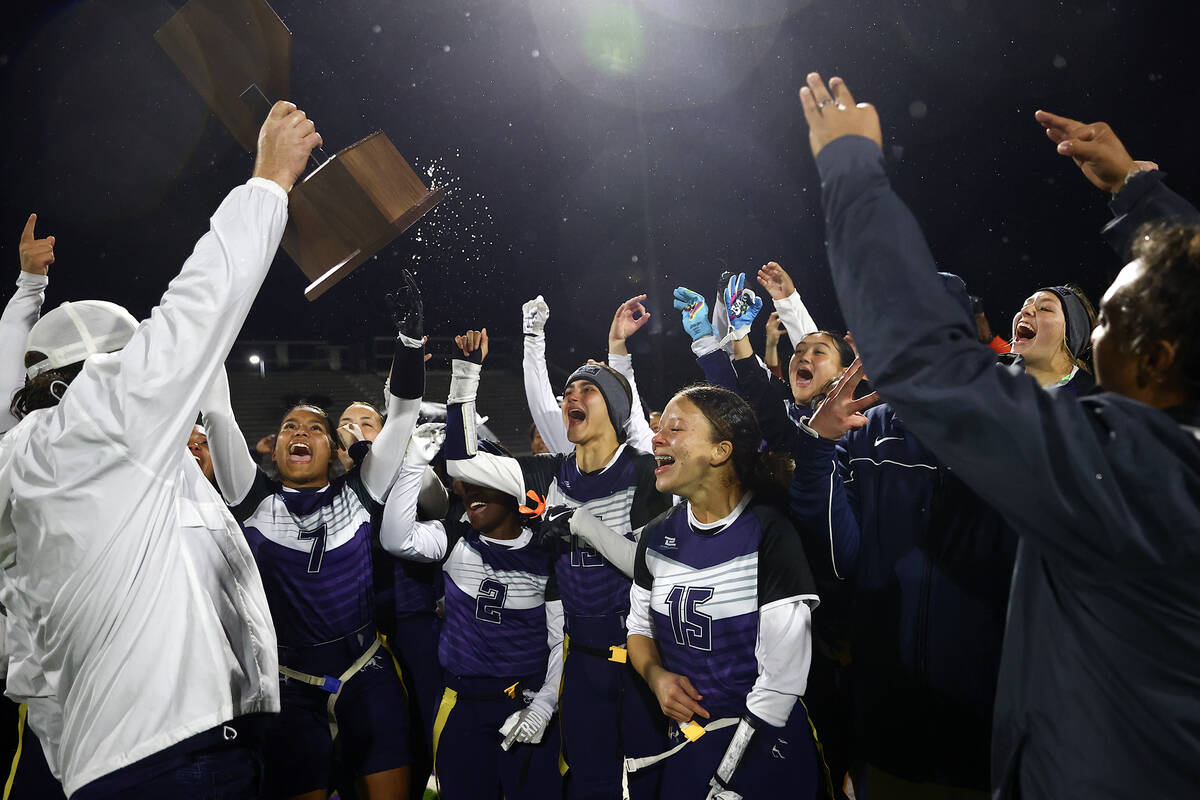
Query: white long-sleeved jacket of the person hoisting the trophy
x=148 y=616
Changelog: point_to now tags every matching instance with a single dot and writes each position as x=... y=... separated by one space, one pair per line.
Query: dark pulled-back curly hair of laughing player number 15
x=734 y=422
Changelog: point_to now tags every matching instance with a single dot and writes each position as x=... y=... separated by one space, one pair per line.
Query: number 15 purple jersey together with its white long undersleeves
x=706 y=591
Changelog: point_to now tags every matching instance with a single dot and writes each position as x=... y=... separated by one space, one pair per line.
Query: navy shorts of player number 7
x=373 y=723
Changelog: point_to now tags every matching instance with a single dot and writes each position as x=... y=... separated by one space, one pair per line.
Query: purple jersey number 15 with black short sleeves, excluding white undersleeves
x=706 y=591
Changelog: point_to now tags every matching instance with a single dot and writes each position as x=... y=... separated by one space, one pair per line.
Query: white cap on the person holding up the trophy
x=76 y=330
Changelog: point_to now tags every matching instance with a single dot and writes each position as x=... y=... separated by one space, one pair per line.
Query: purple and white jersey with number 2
x=496 y=607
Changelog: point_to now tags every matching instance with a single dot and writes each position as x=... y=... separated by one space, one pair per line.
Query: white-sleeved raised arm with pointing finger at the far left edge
x=21 y=314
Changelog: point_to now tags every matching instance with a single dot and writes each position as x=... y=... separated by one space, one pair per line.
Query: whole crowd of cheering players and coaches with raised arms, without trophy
x=392 y=603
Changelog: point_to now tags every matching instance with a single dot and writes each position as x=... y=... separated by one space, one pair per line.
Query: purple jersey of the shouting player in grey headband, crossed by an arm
x=623 y=497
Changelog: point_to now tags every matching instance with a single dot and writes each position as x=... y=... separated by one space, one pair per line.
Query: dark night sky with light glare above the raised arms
x=595 y=151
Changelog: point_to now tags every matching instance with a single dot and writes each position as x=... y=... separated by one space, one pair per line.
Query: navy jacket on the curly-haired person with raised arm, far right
x=1100 y=683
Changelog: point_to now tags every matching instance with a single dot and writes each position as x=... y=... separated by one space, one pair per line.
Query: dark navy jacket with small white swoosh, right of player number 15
x=929 y=564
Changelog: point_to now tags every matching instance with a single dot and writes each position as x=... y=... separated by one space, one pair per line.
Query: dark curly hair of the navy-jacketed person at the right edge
x=1168 y=294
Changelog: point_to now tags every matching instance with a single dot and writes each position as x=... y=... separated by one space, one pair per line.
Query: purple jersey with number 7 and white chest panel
x=314 y=552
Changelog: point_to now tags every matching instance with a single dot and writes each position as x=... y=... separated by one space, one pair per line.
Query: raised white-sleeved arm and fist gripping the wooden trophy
x=151 y=392
